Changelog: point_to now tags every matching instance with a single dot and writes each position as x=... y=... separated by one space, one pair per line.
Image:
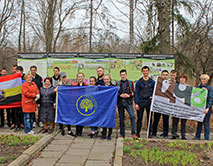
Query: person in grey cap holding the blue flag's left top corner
x=64 y=81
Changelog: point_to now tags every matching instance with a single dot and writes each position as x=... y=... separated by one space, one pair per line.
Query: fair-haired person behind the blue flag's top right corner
x=107 y=82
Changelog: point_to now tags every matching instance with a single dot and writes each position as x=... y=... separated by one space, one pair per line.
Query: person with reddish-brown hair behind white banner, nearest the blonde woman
x=182 y=85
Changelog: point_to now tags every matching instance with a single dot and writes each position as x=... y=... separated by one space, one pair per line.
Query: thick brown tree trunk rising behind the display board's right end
x=163 y=7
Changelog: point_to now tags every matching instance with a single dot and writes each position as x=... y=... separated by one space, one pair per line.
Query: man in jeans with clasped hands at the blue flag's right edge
x=125 y=95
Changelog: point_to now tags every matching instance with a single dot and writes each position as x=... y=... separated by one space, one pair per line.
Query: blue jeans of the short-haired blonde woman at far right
x=206 y=126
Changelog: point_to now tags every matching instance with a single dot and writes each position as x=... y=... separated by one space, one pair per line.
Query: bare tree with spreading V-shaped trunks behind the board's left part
x=52 y=14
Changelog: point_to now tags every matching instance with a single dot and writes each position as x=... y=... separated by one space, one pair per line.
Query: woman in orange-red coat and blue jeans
x=30 y=94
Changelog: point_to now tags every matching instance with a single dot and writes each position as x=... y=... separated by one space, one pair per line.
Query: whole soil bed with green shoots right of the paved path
x=166 y=152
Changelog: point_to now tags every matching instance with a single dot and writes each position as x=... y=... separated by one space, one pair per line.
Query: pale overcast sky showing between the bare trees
x=114 y=15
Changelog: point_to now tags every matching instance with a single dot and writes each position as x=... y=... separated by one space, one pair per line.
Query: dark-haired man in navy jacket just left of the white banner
x=143 y=95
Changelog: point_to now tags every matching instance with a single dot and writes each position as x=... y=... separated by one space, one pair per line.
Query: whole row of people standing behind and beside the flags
x=38 y=94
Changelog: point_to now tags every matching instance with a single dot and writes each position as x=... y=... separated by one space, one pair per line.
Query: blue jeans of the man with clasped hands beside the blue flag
x=129 y=108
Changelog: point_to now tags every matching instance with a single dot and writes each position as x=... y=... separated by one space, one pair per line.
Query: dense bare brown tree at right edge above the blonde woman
x=198 y=46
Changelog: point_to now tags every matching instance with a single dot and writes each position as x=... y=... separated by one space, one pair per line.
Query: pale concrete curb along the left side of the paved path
x=28 y=154
